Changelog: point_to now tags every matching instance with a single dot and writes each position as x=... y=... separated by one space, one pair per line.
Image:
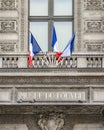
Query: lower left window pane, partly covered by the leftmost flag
x=40 y=32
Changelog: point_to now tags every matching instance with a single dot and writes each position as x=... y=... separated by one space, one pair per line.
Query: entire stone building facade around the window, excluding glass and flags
x=51 y=96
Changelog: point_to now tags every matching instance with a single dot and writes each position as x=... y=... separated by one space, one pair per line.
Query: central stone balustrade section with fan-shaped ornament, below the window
x=50 y=61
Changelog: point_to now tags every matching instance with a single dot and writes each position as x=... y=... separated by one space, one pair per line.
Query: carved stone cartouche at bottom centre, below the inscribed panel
x=51 y=122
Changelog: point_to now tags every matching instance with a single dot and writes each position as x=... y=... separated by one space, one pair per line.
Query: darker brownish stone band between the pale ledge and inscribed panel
x=46 y=80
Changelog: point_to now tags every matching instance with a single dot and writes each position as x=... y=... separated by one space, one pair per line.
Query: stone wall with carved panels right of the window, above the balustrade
x=89 y=26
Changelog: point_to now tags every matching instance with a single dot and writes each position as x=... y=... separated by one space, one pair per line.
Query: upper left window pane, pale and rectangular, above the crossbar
x=38 y=7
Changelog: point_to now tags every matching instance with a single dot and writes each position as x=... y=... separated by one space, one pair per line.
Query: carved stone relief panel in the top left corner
x=8 y=4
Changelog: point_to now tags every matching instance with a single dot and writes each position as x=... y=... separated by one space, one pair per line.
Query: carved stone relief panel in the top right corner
x=94 y=4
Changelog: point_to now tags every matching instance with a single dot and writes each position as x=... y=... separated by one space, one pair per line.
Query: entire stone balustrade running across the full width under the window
x=48 y=60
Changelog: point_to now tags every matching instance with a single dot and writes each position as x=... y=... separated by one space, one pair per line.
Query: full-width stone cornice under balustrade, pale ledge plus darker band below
x=52 y=76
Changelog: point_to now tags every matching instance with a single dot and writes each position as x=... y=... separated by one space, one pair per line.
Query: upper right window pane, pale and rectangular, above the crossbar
x=62 y=7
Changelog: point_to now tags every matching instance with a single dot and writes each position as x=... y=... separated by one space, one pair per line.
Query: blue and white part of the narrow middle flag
x=54 y=41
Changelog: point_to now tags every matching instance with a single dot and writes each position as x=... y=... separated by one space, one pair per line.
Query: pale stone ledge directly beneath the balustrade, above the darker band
x=52 y=72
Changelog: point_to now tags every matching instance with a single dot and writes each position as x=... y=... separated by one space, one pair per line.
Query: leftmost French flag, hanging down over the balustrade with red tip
x=34 y=48
